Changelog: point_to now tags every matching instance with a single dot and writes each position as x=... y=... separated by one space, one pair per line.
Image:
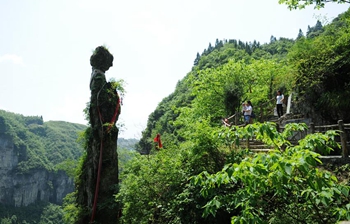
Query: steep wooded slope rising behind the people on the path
x=313 y=69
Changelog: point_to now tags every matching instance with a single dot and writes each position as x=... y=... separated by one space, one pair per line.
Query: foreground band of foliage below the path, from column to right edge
x=191 y=183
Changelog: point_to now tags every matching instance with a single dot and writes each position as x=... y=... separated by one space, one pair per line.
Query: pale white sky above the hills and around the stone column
x=45 y=48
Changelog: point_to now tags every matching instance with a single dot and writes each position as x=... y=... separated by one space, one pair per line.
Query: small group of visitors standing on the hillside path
x=247 y=110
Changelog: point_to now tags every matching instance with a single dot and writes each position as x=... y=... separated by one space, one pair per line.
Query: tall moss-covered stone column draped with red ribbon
x=101 y=139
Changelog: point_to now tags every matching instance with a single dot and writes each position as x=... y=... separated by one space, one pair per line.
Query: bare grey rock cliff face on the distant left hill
x=22 y=189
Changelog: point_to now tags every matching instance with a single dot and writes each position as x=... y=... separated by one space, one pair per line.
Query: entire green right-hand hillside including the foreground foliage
x=202 y=175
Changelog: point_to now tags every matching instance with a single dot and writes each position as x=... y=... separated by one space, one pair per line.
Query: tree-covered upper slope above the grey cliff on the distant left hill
x=45 y=144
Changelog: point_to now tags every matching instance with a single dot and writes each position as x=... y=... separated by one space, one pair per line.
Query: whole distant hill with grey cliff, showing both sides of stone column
x=38 y=160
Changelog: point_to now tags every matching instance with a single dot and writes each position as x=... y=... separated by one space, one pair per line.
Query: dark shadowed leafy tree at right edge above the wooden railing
x=322 y=66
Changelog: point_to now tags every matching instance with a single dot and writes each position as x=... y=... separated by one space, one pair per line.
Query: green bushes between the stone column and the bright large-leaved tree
x=155 y=188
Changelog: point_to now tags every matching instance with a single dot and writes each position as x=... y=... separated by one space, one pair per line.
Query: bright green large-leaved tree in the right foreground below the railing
x=282 y=186
